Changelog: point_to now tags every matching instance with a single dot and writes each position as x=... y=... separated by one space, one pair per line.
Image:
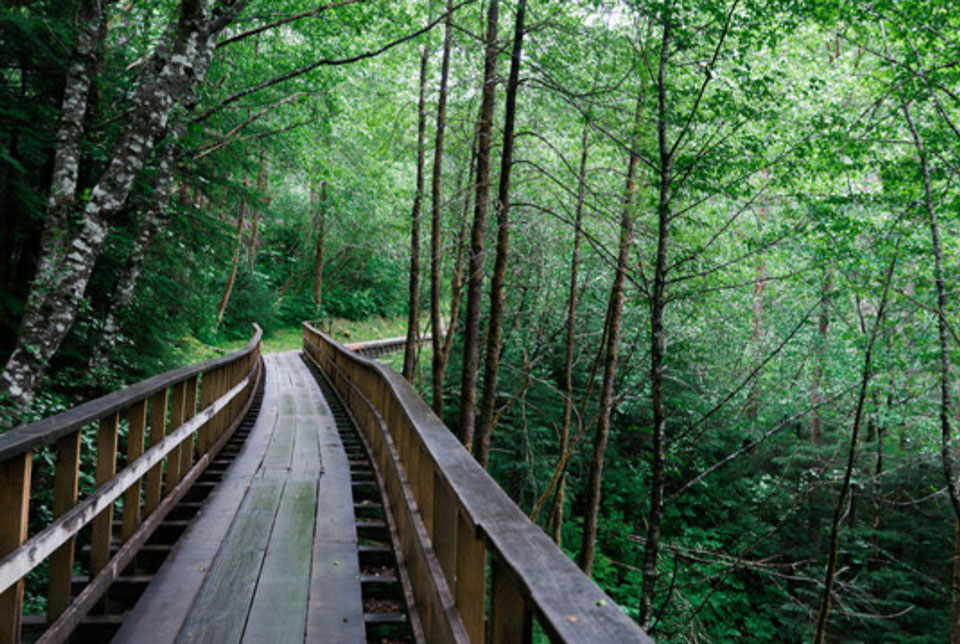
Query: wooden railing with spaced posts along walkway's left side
x=182 y=441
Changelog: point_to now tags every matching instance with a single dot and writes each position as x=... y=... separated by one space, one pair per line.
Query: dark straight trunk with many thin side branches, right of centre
x=658 y=346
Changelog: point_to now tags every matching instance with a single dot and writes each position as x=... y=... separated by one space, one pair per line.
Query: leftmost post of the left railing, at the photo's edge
x=15 y=501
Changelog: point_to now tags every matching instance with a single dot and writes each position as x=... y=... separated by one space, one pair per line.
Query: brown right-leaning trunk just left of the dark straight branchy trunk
x=612 y=323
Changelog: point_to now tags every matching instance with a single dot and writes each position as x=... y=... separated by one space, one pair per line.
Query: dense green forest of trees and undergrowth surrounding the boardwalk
x=689 y=266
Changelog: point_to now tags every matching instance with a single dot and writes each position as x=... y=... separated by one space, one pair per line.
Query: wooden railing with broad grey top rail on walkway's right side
x=450 y=515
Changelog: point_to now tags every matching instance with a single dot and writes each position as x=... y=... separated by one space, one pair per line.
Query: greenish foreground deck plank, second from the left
x=220 y=611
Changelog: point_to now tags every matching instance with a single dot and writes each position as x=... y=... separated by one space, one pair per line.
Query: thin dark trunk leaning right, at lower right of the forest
x=840 y=508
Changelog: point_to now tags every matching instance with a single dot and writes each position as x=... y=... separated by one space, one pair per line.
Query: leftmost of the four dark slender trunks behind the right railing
x=413 y=297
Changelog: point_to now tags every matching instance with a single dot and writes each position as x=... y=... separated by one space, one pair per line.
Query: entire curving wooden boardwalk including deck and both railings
x=356 y=518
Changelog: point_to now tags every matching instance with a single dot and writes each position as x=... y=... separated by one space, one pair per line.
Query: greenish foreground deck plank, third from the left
x=279 y=611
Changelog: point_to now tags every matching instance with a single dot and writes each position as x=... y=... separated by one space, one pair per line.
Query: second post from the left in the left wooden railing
x=65 y=478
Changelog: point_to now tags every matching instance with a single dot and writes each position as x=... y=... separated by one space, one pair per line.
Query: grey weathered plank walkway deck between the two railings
x=272 y=558
